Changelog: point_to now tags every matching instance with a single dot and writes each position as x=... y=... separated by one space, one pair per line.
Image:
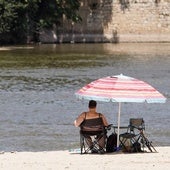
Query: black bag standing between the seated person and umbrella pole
x=111 y=143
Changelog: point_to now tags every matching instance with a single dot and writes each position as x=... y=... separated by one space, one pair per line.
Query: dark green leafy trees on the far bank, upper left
x=22 y=20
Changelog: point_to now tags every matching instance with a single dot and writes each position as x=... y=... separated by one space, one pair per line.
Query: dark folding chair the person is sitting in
x=93 y=137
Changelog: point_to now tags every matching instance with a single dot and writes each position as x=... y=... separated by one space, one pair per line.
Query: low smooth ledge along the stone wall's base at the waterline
x=47 y=37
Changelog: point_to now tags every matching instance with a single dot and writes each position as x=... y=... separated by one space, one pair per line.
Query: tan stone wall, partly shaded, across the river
x=116 y=21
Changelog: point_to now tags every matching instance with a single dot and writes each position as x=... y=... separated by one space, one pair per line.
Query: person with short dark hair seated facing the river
x=91 y=122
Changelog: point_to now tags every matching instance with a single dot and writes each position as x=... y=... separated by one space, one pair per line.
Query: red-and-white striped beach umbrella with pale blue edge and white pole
x=120 y=88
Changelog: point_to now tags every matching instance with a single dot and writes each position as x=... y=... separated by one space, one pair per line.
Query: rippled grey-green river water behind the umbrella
x=37 y=86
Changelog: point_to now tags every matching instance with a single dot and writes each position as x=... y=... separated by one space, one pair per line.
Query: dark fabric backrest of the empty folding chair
x=136 y=123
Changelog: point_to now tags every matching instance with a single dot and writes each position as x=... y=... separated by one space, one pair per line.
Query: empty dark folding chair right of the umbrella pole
x=134 y=138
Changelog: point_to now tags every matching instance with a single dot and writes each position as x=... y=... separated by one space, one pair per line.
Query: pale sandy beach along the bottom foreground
x=55 y=160
